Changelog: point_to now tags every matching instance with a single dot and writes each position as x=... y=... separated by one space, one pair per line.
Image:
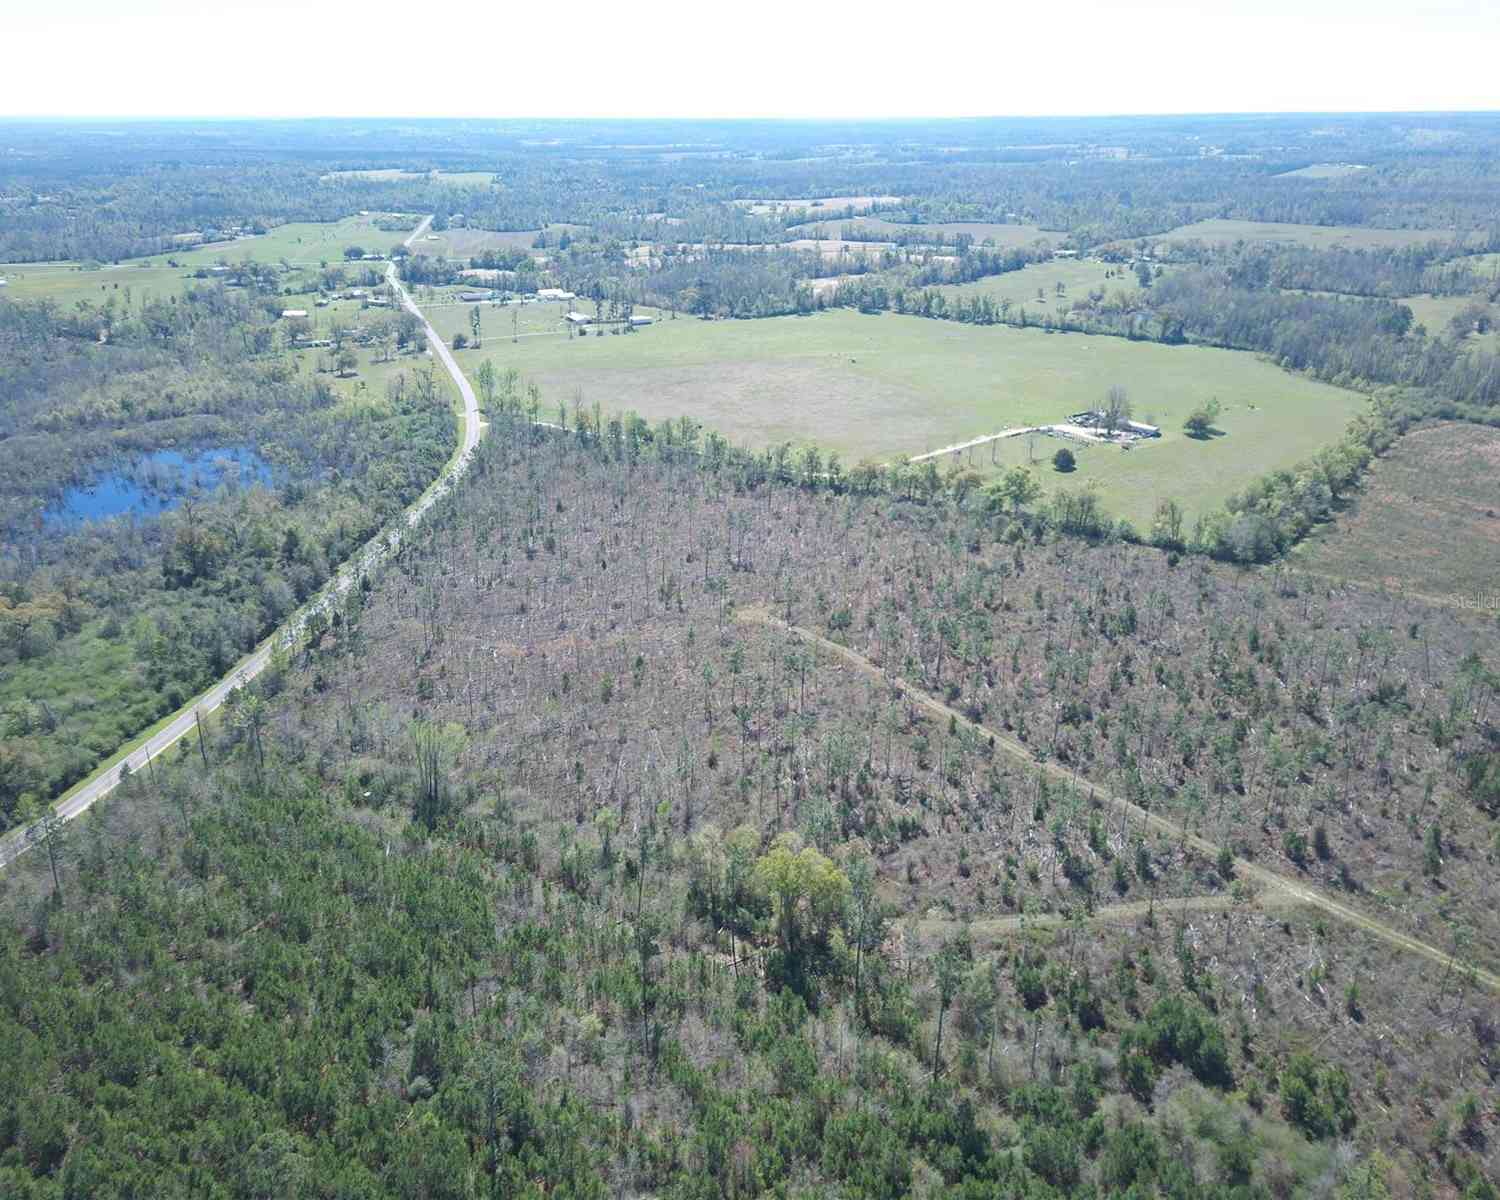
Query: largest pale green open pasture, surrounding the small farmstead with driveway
x=884 y=386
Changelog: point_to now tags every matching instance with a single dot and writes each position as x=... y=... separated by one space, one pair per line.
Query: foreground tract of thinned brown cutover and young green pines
x=658 y=827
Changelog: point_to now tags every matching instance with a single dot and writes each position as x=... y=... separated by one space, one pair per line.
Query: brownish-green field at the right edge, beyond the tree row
x=1429 y=520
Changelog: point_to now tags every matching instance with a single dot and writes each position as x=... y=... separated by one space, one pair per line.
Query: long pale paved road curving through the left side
x=103 y=782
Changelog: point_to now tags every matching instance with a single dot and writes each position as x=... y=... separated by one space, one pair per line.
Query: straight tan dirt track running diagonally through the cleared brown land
x=1252 y=872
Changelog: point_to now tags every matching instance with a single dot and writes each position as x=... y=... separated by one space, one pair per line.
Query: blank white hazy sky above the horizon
x=713 y=59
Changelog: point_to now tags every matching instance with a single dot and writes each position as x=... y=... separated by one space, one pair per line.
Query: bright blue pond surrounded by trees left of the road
x=160 y=482
